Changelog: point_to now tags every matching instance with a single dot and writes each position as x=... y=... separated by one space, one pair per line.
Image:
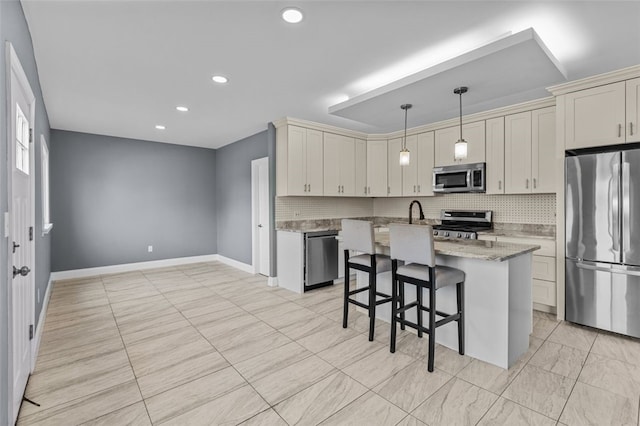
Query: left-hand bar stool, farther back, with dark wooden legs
x=358 y=235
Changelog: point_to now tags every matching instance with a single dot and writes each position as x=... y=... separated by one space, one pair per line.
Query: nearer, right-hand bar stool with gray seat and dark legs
x=413 y=244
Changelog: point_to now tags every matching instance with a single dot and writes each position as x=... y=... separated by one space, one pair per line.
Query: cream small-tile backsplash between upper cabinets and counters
x=531 y=208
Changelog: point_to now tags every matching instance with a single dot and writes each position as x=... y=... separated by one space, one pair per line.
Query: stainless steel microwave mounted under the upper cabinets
x=459 y=178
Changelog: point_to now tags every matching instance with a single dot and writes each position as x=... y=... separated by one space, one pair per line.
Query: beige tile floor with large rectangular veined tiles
x=208 y=344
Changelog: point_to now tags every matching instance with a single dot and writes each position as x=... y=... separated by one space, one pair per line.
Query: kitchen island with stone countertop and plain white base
x=497 y=303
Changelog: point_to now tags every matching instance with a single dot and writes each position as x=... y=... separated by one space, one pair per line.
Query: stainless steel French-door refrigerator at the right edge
x=602 y=214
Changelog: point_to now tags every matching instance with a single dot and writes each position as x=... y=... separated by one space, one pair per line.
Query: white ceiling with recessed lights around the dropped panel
x=120 y=67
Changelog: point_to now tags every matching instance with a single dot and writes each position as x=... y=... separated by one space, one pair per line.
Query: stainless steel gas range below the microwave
x=463 y=224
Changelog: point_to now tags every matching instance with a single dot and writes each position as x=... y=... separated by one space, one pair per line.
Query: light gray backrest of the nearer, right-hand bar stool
x=412 y=243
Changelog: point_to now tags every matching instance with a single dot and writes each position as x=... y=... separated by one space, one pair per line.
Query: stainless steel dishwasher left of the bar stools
x=321 y=259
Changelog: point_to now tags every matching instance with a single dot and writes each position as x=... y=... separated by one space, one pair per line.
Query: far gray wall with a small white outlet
x=112 y=197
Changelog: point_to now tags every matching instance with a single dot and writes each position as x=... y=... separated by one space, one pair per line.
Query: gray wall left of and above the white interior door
x=233 y=195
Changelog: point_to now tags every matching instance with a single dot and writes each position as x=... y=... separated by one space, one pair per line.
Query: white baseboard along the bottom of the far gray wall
x=128 y=267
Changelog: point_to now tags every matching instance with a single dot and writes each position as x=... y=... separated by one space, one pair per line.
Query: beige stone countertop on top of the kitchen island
x=471 y=249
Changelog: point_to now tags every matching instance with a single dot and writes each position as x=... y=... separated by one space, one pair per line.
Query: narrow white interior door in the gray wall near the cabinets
x=261 y=220
